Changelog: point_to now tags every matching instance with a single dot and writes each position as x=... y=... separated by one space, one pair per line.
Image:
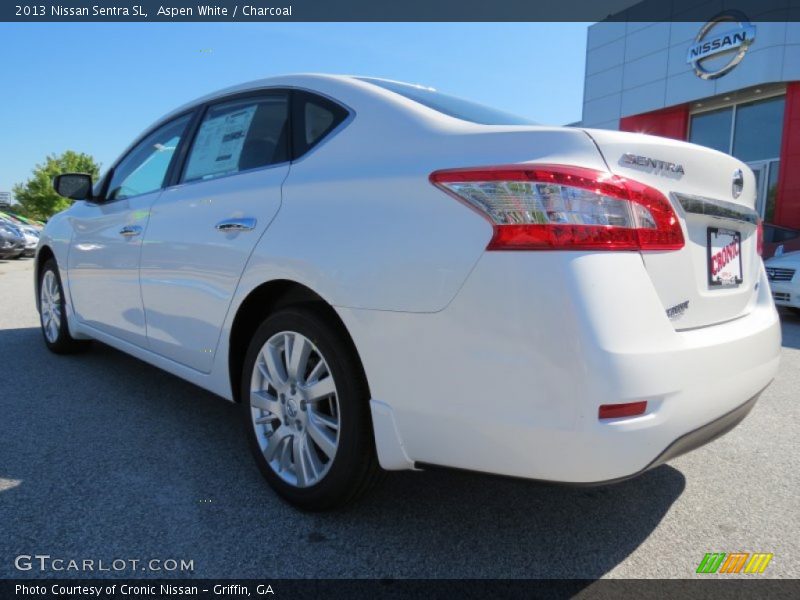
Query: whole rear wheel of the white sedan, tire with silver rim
x=289 y=418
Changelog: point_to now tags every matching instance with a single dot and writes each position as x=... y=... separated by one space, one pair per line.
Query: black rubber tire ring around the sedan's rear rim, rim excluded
x=355 y=441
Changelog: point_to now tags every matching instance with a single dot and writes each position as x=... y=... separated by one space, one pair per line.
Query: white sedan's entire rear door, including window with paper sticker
x=202 y=231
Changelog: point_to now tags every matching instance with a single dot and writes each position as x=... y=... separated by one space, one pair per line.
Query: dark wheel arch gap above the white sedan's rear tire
x=263 y=301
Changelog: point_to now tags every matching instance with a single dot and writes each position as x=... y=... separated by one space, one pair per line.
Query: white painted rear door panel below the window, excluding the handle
x=190 y=268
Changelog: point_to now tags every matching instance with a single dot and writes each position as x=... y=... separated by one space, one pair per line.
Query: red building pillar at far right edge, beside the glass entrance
x=787 y=204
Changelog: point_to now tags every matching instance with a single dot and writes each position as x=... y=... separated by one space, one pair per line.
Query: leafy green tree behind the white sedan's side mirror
x=37 y=196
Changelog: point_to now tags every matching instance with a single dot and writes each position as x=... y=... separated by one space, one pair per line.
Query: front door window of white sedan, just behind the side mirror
x=144 y=168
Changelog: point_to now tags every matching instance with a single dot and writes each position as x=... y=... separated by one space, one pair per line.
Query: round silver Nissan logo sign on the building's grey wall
x=721 y=44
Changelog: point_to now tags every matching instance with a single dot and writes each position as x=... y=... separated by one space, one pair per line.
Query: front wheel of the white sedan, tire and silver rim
x=53 y=313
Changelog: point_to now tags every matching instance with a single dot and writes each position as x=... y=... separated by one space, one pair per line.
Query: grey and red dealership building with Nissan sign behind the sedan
x=723 y=82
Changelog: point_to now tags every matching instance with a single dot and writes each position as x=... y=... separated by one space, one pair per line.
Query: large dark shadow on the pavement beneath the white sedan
x=103 y=456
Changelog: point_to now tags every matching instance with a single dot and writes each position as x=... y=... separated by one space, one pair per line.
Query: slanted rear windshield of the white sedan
x=450 y=105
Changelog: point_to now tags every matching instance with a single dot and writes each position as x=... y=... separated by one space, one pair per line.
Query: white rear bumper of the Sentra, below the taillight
x=509 y=377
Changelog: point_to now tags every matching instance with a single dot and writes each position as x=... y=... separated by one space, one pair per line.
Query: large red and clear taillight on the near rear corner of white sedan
x=555 y=207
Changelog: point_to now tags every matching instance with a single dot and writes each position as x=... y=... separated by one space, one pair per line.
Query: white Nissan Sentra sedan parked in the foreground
x=382 y=275
